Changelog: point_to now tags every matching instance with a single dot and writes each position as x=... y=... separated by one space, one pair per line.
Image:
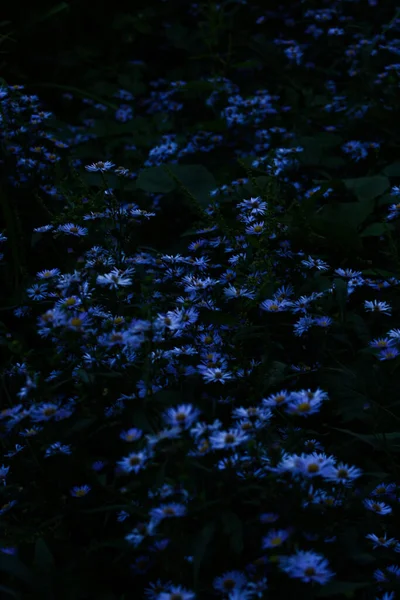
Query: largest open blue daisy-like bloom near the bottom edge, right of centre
x=307 y=566
